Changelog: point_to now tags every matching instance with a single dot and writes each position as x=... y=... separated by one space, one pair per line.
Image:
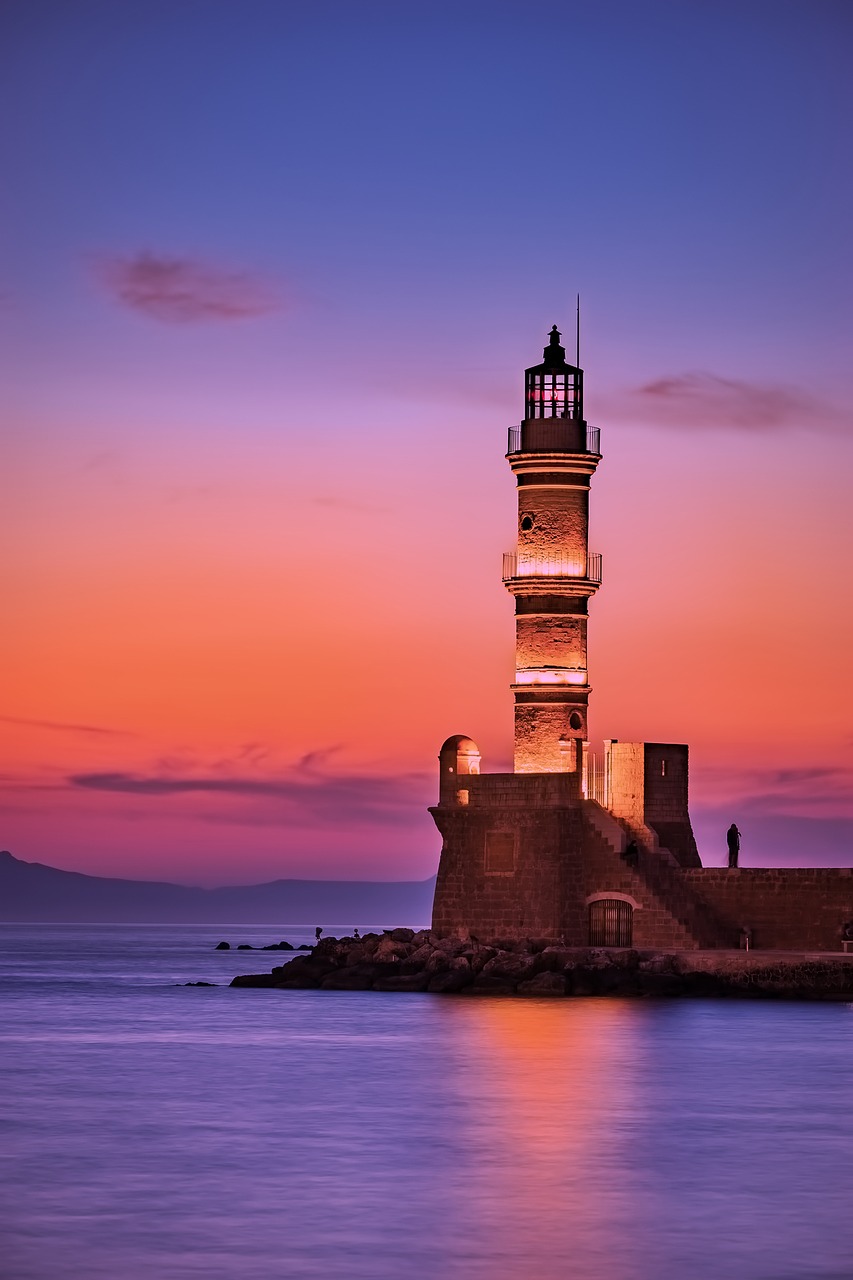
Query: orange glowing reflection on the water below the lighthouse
x=550 y=1107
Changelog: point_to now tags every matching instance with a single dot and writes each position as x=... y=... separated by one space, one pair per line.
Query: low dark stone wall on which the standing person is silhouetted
x=802 y=909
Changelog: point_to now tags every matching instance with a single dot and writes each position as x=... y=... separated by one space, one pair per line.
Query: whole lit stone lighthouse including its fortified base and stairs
x=541 y=852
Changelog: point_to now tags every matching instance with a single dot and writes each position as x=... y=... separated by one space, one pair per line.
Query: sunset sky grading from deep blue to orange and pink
x=271 y=275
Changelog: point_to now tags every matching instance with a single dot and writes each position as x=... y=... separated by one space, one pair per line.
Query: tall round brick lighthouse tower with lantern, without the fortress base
x=553 y=574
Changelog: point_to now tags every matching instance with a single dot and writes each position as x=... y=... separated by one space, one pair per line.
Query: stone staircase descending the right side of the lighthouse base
x=659 y=876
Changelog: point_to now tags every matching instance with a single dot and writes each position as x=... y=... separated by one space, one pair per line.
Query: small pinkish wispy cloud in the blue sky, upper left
x=184 y=290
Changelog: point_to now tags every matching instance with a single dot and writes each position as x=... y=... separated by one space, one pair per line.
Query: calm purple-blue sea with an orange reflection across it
x=161 y=1132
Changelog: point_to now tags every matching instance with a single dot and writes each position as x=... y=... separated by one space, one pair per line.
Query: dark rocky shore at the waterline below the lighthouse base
x=404 y=961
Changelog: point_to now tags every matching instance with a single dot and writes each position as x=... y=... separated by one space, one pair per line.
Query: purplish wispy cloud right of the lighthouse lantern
x=704 y=400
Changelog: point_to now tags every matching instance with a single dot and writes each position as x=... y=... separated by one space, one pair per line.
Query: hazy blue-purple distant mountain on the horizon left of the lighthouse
x=31 y=892
